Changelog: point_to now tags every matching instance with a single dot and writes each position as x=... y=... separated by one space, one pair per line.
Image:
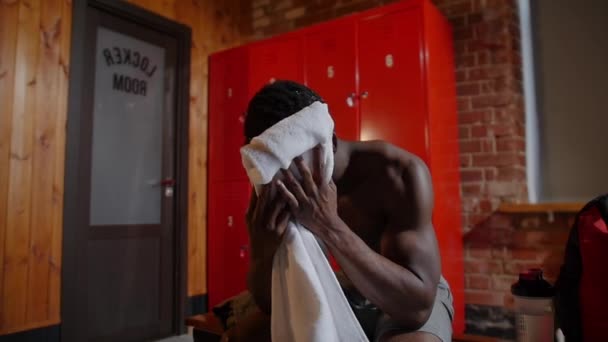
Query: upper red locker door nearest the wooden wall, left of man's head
x=228 y=97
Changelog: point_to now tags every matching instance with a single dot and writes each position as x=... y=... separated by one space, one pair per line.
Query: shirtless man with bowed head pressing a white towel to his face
x=374 y=217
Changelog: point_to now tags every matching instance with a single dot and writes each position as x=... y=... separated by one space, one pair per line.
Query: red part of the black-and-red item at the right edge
x=593 y=292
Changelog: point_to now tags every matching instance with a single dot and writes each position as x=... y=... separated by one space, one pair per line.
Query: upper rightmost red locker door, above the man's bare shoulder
x=391 y=81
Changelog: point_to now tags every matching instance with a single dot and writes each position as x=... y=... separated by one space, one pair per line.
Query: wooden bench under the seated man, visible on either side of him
x=207 y=328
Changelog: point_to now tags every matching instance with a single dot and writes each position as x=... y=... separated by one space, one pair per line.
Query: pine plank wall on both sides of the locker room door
x=34 y=64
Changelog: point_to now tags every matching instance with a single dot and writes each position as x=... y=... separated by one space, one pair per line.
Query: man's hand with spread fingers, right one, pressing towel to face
x=313 y=202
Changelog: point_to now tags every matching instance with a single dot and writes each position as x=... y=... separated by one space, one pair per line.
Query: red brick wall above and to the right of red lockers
x=491 y=116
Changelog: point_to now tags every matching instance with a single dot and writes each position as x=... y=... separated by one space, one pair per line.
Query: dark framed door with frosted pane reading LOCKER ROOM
x=122 y=259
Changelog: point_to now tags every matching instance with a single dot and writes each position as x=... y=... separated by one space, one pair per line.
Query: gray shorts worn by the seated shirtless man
x=376 y=324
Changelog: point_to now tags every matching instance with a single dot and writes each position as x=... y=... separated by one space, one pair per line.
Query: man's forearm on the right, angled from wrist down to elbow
x=396 y=290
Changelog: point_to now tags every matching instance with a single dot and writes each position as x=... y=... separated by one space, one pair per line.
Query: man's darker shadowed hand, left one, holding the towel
x=267 y=220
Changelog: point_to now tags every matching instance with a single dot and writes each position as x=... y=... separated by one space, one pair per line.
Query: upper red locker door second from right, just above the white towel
x=331 y=72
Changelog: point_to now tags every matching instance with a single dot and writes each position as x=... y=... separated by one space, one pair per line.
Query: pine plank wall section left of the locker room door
x=33 y=96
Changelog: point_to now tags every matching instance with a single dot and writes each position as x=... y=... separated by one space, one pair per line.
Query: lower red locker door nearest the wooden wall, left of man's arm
x=228 y=242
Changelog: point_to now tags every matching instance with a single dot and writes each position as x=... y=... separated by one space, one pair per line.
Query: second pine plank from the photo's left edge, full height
x=17 y=256
